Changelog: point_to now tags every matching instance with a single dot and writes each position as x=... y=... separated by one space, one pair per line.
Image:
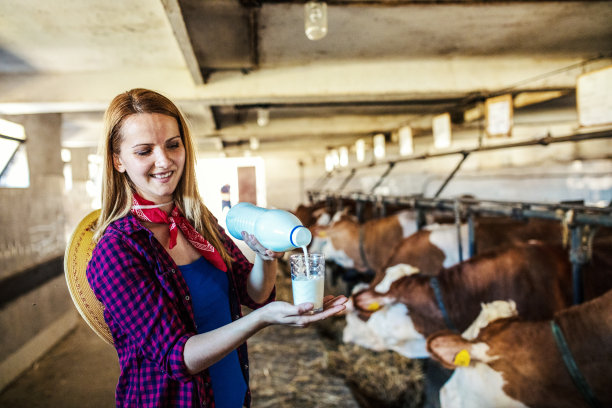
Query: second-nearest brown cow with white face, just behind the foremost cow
x=536 y=276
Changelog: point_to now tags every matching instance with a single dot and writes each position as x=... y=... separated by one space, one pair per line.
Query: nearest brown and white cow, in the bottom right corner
x=514 y=363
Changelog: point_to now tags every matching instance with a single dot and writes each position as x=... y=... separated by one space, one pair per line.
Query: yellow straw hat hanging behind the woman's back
x=78 y=253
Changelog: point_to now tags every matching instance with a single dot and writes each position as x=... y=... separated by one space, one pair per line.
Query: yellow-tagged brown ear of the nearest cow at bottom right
x=449 y=349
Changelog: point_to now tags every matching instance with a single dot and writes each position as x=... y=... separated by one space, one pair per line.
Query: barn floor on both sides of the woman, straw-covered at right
x=290 y=367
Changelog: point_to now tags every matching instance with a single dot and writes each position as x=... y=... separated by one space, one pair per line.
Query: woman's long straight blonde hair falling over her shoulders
x=117 y=188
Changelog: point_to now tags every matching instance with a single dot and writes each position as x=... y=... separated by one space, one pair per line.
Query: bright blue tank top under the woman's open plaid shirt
x=209 y=288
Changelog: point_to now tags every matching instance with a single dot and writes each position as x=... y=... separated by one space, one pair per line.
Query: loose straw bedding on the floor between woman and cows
x=311 y=367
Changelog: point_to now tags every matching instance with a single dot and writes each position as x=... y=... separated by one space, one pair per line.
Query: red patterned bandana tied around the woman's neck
x=148 y=211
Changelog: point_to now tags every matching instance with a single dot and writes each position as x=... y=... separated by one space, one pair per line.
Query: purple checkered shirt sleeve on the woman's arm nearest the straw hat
x=138 y=305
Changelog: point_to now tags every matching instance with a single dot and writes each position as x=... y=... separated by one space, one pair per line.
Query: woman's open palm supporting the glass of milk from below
x=285 y=313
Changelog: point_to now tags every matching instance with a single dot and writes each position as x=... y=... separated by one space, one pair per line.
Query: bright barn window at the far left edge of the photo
x=14 y=171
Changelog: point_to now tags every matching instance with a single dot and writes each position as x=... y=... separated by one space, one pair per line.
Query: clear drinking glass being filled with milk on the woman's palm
x=307 y=279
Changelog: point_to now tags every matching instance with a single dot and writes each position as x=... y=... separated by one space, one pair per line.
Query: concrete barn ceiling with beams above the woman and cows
x=382 y=64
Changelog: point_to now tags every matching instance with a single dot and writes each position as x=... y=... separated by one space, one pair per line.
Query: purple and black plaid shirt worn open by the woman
x=149 y=313
